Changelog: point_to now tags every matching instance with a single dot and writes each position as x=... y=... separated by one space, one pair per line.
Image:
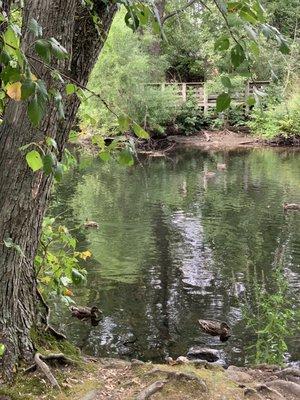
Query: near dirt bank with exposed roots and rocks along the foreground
x=121 y=380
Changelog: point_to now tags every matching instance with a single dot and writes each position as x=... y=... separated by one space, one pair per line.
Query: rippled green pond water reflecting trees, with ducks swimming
x=175 y=246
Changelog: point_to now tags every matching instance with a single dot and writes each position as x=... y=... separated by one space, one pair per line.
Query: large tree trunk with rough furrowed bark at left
x=23 y=194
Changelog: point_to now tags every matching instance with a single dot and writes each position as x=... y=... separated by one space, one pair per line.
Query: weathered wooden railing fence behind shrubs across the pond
x=208 y=100
